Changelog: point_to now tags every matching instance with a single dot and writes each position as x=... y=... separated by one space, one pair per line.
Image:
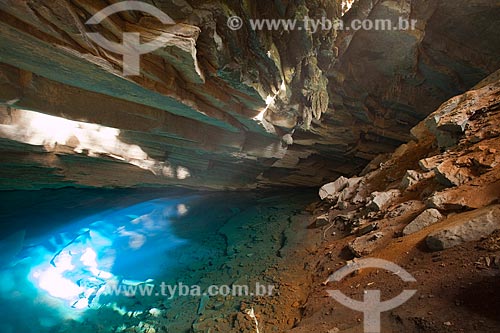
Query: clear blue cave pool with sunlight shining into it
x=62 y=251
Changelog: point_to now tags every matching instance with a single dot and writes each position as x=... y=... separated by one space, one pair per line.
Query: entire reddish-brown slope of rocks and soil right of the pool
x=456 y=287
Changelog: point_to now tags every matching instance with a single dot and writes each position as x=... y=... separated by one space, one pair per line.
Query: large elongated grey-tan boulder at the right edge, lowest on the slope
x=471 y=226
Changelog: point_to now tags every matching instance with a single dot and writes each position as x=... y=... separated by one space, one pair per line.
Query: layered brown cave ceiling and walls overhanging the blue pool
x=216 y=103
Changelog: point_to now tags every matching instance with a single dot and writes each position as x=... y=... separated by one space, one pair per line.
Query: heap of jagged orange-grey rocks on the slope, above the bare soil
x=402 y=200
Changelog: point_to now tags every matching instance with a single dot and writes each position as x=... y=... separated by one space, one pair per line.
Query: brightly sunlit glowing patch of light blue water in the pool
x=71 y=268
